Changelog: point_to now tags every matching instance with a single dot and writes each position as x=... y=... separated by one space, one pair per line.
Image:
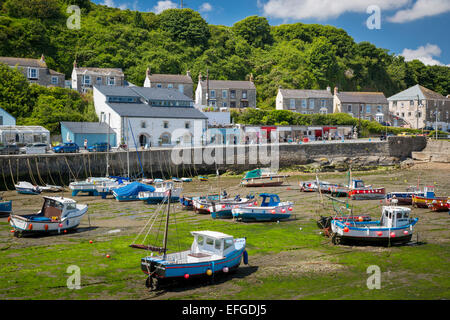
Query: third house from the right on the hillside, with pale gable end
x=305 y=101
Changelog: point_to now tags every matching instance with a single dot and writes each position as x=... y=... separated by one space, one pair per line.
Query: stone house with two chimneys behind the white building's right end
x=180 y=82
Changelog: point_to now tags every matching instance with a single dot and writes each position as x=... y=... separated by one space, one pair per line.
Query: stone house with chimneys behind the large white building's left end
x=84 y=79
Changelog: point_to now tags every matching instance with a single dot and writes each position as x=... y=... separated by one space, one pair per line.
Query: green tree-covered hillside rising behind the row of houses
x=309 y=56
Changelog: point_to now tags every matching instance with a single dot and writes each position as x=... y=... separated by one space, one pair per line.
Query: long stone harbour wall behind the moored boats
x=60 y=169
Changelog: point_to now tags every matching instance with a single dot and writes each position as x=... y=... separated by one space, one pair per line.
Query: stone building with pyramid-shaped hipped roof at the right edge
x=417 y=107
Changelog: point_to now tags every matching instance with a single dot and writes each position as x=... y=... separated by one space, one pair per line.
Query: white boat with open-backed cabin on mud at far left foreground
x=58 y=214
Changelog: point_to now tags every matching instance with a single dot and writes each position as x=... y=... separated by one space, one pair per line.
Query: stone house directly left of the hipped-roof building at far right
x=362 y=105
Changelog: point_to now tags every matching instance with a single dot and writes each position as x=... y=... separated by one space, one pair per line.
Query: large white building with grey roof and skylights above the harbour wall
x=149 y=116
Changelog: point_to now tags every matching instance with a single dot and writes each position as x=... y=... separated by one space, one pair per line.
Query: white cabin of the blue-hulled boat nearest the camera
x=207 y=243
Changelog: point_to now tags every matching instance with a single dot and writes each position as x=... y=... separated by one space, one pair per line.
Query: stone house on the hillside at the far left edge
x=36 y=71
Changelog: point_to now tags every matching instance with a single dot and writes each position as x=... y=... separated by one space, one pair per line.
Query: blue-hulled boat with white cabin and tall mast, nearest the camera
x=210 y=254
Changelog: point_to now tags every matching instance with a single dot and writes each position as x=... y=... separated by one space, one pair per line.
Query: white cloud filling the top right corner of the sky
x=421 y=9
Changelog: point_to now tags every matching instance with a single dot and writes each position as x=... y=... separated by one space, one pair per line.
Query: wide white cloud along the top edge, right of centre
x=323 y=9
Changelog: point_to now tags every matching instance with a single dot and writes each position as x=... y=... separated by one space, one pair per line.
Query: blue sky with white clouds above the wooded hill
x=414 y=28
